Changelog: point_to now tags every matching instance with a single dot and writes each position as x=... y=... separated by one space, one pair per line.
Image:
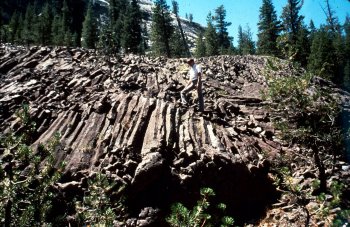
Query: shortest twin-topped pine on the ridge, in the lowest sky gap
x=246 y=44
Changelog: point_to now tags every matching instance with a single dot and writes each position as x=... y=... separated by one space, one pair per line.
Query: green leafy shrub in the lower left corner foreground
x=26 y=177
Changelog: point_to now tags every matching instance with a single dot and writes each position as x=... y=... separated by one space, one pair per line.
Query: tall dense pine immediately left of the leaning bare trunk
x=161 y=29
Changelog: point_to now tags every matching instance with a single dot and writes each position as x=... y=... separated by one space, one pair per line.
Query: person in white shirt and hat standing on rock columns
x=195 y=75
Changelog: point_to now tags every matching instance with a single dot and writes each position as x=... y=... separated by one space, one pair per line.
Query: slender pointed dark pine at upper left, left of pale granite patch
x=89 y=33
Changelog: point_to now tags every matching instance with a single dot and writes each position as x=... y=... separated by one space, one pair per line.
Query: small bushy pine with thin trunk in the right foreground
x=307 y=114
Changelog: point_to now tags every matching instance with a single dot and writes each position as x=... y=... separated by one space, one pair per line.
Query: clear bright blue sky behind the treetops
x=246 y=12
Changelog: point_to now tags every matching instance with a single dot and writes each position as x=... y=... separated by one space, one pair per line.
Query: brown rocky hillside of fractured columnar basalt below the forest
x=121 y=116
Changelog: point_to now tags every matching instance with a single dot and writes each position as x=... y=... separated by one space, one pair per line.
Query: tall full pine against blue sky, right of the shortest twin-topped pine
x=268 y=29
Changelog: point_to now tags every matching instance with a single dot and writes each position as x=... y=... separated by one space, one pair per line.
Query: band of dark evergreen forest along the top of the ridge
x=121 y=28
